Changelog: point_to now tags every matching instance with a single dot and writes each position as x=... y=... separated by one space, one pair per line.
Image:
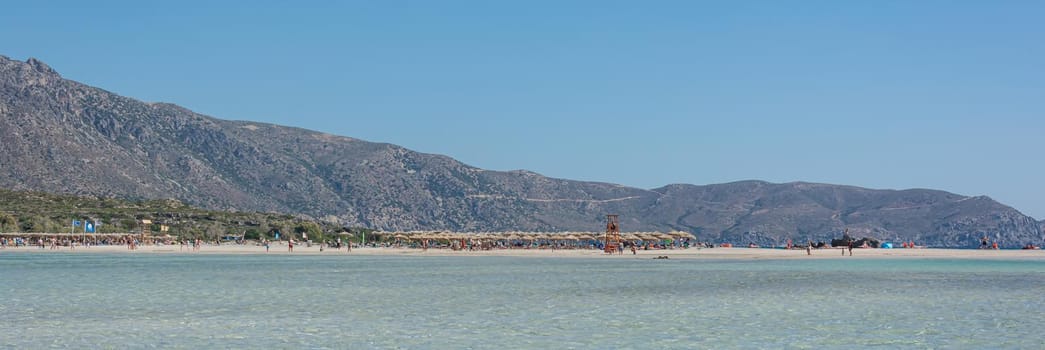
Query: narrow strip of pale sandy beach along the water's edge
x=692 y=253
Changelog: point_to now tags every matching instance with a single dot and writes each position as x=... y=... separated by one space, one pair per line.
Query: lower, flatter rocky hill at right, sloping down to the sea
x=757 y=212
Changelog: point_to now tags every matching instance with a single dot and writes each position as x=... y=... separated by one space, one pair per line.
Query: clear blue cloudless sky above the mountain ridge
x=883 y=95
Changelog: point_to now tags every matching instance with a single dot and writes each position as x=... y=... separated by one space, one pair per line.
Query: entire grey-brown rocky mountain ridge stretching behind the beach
x=65 y=137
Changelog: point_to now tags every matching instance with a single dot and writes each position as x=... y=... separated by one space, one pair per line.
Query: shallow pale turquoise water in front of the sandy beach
x=316 y=302
